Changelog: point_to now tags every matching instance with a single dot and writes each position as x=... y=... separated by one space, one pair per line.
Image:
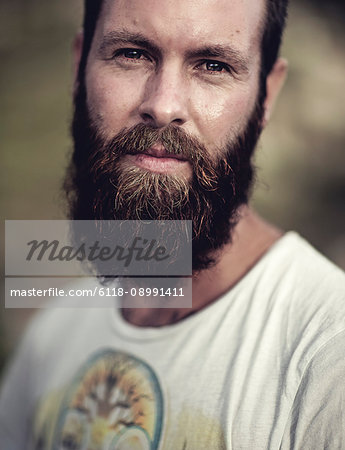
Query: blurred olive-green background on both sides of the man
x=301 y=158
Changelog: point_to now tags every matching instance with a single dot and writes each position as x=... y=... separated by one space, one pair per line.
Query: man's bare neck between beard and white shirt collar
x=251 y=239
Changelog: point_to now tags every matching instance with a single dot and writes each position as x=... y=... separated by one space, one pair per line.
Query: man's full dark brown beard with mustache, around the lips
x=100 y=185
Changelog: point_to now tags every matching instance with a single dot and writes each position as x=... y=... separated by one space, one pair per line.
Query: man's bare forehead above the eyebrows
x=174 y=23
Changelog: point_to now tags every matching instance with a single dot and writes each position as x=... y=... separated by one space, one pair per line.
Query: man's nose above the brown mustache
x=165 y=99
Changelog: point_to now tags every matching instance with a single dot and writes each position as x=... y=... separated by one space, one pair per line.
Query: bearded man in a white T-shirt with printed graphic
x=170 y=99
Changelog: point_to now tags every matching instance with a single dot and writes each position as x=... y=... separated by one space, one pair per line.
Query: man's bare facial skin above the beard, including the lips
x=193 y=64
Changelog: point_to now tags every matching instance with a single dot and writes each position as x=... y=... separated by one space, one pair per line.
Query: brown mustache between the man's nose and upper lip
x=139 y=138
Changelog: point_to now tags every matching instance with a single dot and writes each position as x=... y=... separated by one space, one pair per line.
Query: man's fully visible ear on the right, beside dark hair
x=274 y=83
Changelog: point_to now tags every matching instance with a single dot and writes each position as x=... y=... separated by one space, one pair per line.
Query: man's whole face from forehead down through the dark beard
x=167 y=116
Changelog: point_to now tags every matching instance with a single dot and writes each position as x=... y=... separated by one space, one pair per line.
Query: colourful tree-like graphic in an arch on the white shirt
x=114 y=403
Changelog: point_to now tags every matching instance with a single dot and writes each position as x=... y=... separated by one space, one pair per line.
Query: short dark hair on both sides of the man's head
x=272 y=32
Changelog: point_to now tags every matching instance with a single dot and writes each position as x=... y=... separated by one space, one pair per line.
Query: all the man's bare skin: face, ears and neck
x=200 y=73
